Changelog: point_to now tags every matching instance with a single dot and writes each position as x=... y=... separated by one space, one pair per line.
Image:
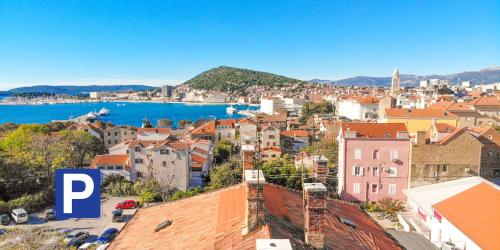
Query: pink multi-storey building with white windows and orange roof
x=373 y=161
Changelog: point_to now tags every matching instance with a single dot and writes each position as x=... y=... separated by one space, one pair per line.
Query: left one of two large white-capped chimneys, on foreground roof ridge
x=254 y=215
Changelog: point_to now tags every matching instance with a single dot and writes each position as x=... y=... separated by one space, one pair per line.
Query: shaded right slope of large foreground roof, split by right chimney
x=286 y=207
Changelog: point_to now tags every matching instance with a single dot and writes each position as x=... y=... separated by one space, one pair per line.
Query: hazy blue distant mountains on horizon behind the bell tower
x=484 y=76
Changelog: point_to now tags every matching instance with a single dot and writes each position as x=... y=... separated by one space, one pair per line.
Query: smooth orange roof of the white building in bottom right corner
x=475 y=213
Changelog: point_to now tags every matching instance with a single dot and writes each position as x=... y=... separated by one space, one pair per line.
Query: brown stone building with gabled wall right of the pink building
x=456 y=155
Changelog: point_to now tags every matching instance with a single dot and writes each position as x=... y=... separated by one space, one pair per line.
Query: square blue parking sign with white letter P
x=78 y=193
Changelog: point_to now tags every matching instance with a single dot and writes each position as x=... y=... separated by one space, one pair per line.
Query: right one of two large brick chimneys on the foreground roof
x=314 y=221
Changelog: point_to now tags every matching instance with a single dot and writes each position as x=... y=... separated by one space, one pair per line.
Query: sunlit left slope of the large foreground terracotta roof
x=208 y=221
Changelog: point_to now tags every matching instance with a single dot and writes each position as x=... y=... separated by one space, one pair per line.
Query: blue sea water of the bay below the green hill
x=122 y=113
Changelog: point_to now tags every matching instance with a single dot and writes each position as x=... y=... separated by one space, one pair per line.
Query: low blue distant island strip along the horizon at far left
x=75 y=90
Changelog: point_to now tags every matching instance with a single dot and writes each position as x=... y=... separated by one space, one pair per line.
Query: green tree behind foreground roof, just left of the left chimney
x=224 y=175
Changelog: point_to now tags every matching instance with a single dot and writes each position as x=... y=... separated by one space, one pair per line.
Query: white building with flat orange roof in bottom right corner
x=456 y=214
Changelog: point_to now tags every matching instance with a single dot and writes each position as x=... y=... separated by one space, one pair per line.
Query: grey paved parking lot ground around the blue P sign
x=93 y=226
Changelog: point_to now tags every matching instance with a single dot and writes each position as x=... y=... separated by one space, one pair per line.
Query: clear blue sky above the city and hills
x=155 y=42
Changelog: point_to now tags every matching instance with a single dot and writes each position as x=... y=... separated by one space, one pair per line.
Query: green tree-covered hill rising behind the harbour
x=225 y=78
